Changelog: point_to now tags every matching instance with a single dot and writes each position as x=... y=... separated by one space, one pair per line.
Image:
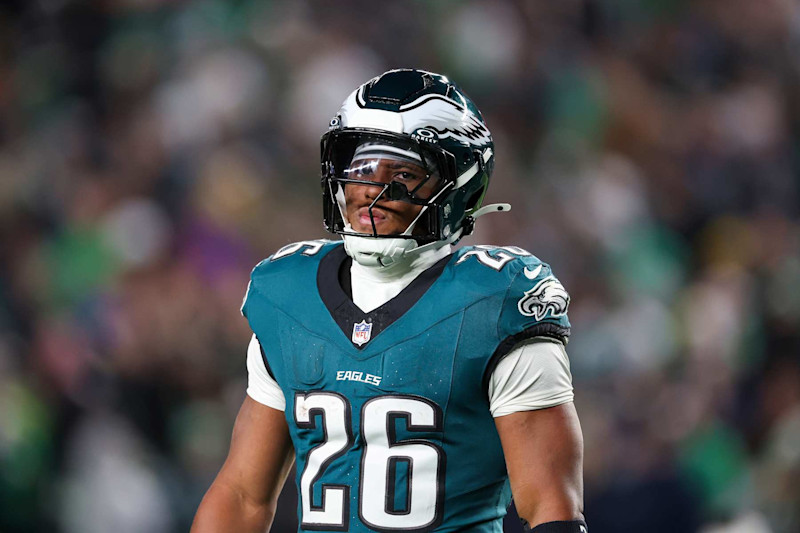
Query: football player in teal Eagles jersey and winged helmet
x=416 y=388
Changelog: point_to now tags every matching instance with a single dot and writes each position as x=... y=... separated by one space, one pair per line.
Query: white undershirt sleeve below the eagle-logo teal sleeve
x=534 y=375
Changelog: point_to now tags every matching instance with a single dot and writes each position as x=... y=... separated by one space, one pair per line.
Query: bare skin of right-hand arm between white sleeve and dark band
x=544 y=457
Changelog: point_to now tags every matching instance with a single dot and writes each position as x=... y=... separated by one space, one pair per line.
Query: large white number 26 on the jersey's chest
x=382 y=457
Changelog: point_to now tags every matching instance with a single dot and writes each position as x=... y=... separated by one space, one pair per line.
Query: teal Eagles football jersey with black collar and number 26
x=388 y=410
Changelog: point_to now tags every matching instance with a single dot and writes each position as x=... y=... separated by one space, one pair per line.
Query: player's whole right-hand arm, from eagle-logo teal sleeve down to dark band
x=530 y=395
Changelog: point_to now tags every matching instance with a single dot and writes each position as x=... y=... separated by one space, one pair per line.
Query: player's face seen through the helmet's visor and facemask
x=390 y=217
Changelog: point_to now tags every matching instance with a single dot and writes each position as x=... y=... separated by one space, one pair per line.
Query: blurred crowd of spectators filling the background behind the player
x=153 y=151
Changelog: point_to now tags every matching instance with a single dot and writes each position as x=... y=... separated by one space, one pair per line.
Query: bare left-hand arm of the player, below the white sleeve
x=245 y=492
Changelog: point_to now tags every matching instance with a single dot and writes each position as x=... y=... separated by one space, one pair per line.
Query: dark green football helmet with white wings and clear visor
x=420 y=121
